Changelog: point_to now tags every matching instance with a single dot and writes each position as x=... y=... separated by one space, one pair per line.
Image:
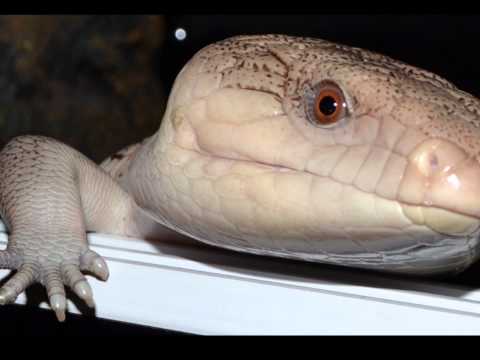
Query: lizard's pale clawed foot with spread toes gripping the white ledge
x=53 y=275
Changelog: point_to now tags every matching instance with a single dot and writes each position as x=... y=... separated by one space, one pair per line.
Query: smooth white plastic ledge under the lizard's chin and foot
x=209 y=291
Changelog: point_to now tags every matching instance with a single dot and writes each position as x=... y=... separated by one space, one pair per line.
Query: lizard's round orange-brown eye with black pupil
x=327 y=104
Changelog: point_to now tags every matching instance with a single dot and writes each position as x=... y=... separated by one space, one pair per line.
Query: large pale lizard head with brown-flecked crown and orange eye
x=307 y=148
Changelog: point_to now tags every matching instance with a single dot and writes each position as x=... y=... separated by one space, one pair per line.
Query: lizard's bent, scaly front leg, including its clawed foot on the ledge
x=50 y=195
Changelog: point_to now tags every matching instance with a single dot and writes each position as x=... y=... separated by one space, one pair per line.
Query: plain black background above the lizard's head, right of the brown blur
x=444 y=44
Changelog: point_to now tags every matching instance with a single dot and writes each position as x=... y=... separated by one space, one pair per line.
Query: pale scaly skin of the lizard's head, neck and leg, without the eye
x=238 y=164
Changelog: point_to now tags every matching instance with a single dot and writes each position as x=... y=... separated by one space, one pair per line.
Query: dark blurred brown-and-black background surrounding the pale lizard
x=99 y=83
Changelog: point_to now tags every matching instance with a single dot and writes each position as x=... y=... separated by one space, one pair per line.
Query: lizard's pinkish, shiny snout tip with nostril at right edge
x=440 y=188
